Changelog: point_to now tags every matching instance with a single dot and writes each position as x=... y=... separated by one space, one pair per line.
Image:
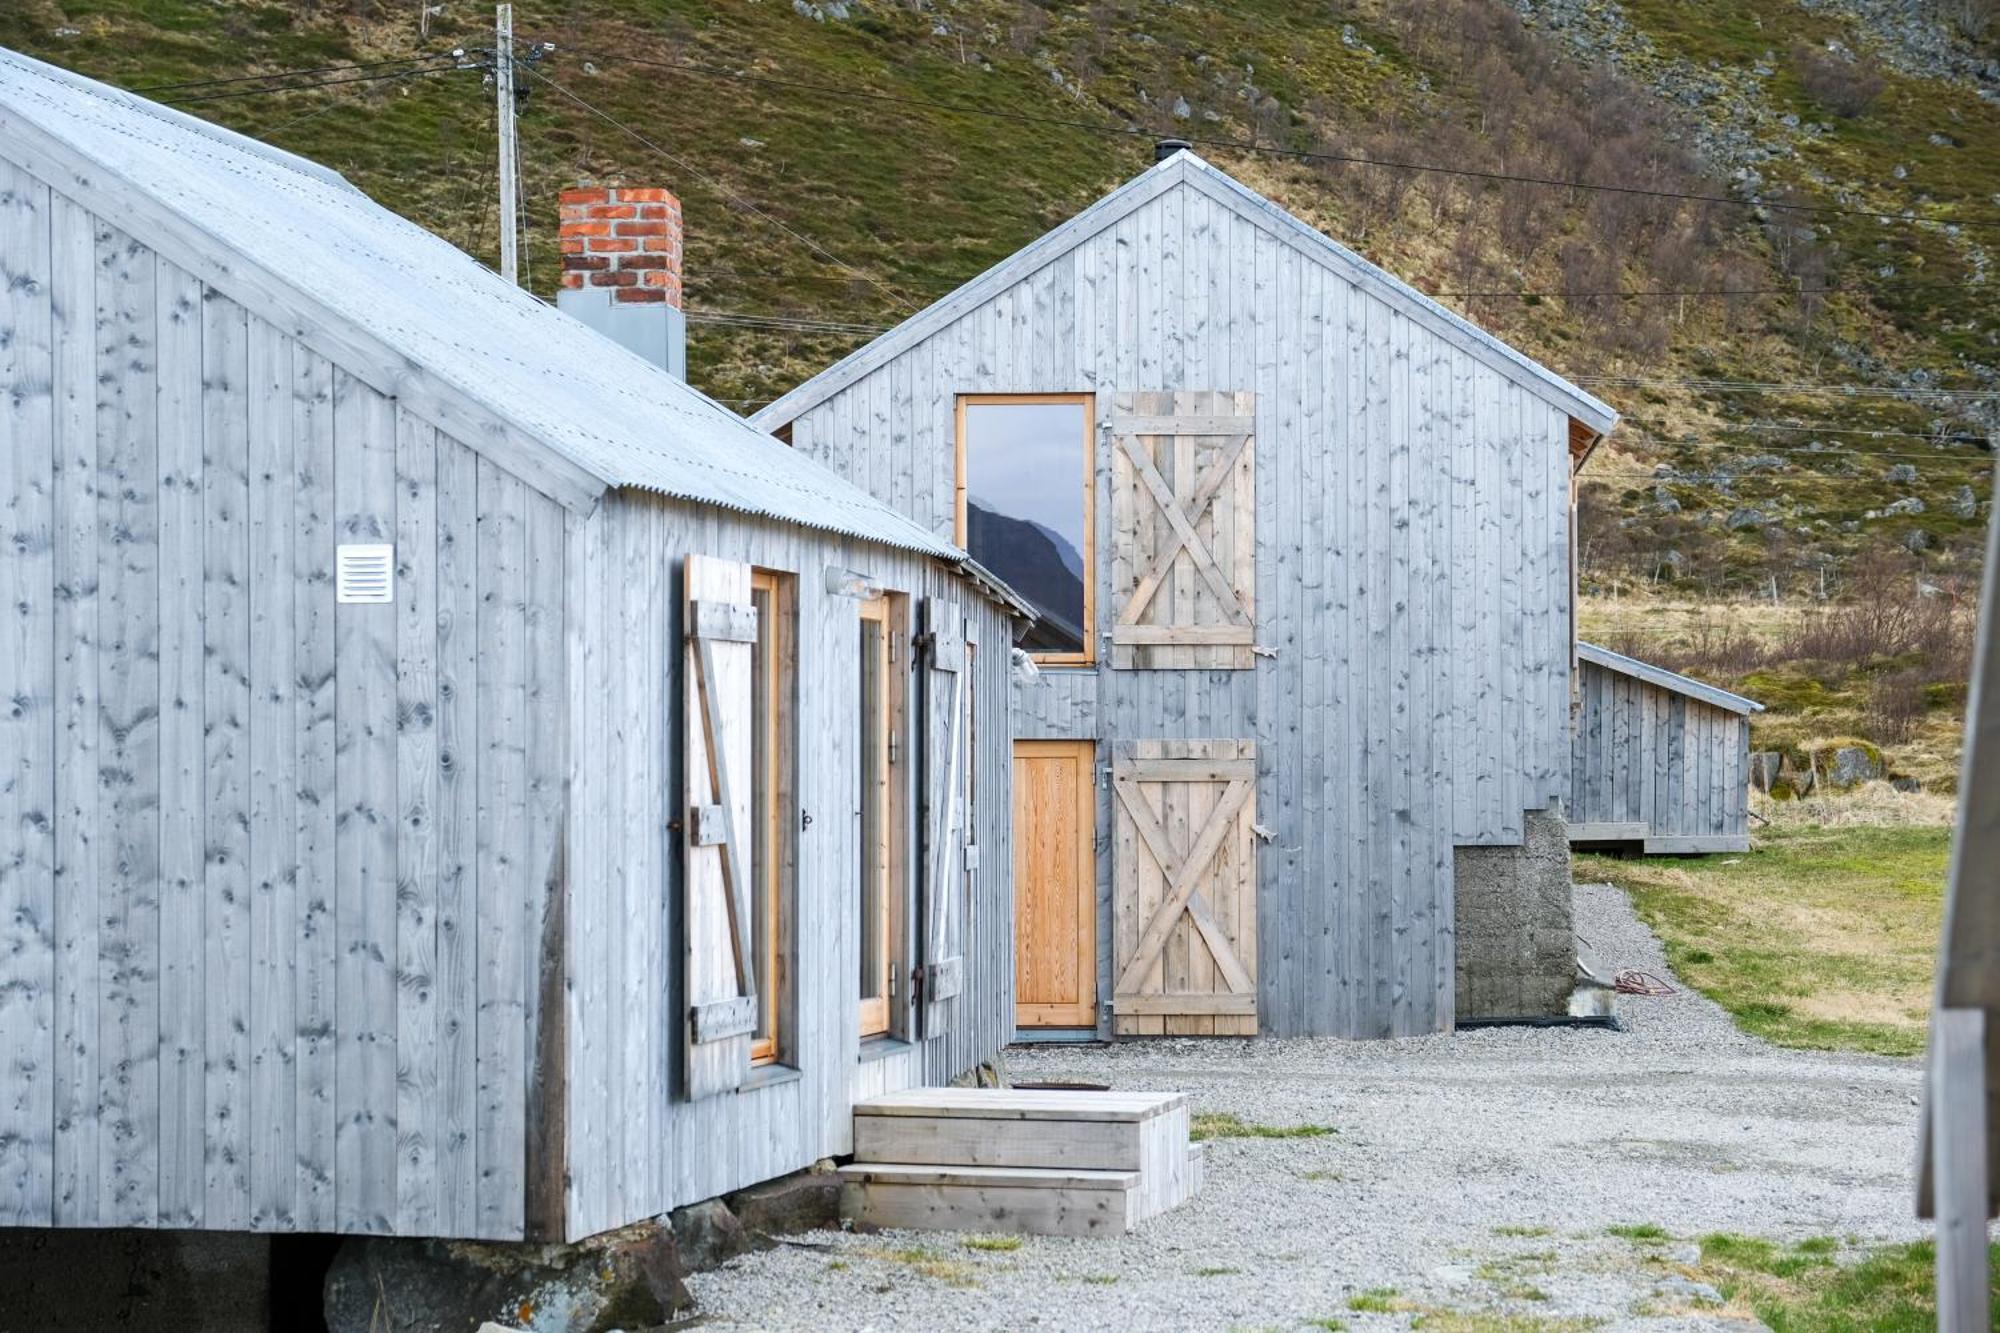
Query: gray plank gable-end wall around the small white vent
x=271 y=870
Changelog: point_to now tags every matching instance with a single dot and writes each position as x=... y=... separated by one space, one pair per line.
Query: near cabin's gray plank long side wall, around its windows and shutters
x=635 y=1144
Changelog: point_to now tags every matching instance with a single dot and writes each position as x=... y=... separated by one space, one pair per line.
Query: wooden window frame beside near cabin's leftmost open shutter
x=777 y=649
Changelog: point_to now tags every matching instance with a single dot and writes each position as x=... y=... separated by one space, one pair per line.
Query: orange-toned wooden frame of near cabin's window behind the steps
x=877 y=1016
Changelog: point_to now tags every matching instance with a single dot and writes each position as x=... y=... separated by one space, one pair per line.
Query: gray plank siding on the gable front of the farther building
x=1413 y=575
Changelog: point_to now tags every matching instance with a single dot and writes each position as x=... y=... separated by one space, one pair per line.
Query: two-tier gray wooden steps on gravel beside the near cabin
x=1019 y=1160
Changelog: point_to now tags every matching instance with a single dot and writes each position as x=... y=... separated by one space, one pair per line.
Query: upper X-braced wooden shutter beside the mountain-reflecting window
x=1185 y=529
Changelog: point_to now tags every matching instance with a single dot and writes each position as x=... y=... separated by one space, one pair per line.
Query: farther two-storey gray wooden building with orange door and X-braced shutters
x=1299 y=543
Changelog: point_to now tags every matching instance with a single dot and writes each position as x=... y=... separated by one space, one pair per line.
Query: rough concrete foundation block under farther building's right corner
x=1517 y=942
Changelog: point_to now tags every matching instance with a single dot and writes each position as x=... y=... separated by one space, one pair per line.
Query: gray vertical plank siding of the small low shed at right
x=1655 y=758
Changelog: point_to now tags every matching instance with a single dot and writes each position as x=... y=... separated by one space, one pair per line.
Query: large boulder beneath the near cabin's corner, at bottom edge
x=623 y=1280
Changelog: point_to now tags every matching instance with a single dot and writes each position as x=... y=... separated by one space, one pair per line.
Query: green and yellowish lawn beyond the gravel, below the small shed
x=1823 y=938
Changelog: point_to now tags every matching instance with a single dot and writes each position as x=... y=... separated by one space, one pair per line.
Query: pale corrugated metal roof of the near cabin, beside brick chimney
x=387 y=279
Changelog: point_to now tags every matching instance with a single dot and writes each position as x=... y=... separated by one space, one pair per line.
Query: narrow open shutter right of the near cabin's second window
x=947 y=740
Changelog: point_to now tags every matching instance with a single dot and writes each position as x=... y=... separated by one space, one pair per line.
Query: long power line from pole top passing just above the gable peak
x=1237 y=145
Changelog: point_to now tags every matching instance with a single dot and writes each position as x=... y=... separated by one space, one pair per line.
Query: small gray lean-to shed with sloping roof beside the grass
x=1659 y=762
